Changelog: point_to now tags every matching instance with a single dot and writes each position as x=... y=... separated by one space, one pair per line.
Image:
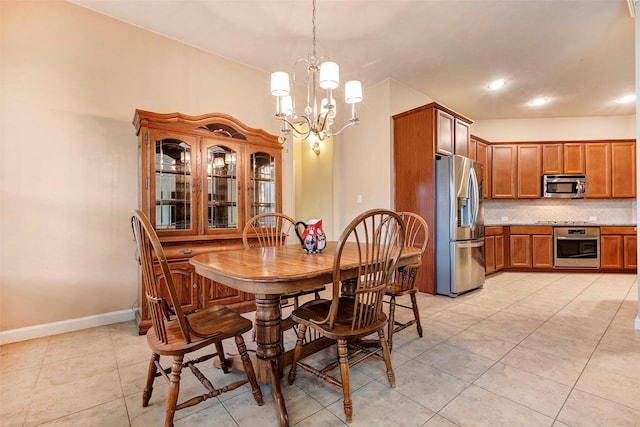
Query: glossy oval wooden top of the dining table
x=279 y=270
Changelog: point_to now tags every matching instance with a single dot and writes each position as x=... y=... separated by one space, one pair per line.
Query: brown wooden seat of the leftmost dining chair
x=209 y=322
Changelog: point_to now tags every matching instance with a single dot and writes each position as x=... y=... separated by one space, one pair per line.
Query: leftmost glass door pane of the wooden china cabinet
x=173 y=185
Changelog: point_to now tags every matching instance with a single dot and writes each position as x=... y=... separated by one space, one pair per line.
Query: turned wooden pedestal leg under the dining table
x=269 y=347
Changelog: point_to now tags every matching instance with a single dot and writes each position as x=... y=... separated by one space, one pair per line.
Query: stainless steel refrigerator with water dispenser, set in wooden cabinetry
x=459 y=230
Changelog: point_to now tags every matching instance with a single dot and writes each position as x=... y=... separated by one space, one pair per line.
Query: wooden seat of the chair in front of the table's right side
x=316 y=310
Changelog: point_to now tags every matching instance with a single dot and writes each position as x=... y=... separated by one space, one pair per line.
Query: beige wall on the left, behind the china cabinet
x=71 y=80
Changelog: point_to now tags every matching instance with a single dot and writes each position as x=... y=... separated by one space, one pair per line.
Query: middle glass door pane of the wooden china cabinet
x=221 y=198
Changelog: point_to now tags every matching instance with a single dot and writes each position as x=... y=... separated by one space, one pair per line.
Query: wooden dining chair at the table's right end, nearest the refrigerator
x=403 y=281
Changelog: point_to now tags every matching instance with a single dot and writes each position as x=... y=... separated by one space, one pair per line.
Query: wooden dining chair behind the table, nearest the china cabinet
x=274 y=229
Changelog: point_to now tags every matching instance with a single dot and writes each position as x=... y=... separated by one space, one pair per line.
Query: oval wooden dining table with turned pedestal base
x=271 y=272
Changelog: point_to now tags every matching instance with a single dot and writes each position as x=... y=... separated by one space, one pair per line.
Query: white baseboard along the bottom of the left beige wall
x=38 y=331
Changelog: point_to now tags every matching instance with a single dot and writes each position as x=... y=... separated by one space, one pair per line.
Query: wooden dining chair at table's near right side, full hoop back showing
x=378 y=236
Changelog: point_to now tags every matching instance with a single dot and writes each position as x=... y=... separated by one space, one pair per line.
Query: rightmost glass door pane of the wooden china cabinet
x=263 y=197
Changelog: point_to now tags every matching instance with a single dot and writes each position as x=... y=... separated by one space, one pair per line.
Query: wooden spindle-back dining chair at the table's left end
x=176 y=334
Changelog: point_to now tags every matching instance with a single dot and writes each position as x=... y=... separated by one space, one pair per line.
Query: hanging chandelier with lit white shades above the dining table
x=316 y=123
